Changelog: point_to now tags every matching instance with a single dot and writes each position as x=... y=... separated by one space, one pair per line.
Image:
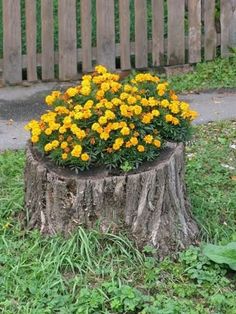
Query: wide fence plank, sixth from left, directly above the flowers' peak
x=106 y=33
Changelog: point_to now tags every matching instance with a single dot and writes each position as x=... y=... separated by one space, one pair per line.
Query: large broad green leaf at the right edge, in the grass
x=222 y=254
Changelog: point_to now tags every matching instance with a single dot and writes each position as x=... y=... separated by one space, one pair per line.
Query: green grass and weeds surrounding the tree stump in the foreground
x=105 y=273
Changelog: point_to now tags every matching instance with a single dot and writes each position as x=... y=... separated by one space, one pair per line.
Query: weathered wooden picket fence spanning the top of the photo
x=120 y=34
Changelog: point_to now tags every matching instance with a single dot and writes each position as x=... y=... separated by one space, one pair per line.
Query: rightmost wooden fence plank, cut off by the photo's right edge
x=228 y=26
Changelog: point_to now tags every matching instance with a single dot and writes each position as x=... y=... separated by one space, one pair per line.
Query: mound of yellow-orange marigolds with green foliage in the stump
x=106 y=121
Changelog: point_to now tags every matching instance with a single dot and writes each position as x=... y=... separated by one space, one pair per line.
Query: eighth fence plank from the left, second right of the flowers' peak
x=141 y=54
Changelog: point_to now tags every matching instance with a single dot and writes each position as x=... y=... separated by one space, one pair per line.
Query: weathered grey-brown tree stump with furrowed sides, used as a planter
x=150 y=204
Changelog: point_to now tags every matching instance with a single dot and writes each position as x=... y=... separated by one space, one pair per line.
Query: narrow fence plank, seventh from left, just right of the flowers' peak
x=124 y=12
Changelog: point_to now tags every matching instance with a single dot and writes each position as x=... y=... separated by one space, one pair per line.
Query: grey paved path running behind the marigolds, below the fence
x=20 y=104
